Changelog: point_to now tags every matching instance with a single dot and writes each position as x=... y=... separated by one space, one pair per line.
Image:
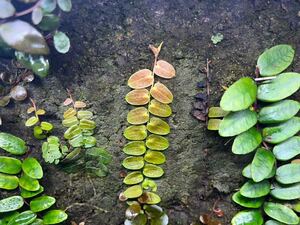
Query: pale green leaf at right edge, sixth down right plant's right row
x=288 y=173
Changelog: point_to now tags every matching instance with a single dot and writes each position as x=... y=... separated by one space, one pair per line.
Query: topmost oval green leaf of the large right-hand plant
x=275 y=60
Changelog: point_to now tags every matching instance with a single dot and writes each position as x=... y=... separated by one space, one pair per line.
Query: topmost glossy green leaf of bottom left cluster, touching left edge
x=12 y=144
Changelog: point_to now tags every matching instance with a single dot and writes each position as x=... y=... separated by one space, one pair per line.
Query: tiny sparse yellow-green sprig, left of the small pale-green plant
x=41 y=129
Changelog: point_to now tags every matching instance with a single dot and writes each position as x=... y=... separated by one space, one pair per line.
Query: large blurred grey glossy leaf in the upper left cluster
x=28 y=40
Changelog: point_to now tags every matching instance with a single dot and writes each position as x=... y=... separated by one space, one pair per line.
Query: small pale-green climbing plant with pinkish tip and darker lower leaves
x=81 y=151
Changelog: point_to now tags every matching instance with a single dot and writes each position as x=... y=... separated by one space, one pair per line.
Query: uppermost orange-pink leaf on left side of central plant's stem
x=141 y=79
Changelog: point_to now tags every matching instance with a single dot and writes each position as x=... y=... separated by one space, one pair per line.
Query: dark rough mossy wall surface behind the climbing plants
x=109 y=42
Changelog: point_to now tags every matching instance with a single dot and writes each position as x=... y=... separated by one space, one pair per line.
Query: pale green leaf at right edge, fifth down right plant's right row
x=287 y=149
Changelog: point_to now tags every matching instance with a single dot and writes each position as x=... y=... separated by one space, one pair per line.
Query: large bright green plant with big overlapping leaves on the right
x=265 y=124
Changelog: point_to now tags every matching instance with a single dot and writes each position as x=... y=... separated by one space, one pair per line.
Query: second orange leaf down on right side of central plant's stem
x=161 y=93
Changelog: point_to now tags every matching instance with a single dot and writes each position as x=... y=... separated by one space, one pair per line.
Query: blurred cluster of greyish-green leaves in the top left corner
x=25 y=39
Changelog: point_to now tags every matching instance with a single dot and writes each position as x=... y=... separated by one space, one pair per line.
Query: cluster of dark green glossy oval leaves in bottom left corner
x=24 y=174
